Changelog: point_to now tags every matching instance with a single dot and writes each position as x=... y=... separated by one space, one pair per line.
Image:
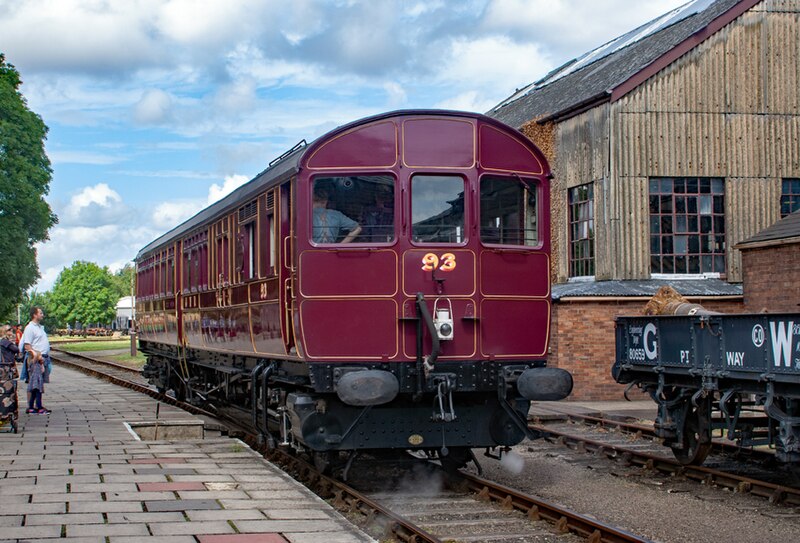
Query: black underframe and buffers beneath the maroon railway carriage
x=445 y=411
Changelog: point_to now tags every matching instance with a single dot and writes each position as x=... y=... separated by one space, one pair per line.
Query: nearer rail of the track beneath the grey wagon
x=775 y=493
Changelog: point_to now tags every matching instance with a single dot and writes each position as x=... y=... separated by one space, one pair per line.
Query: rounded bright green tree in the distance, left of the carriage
x=84 y=293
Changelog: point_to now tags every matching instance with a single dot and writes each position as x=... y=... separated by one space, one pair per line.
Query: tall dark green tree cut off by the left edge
x=25 y=174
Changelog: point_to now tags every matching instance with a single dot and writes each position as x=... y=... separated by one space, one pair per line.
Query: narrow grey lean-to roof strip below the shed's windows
x=624 y=289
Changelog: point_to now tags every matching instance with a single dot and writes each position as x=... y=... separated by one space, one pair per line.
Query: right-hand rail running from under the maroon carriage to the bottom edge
x=565 y=520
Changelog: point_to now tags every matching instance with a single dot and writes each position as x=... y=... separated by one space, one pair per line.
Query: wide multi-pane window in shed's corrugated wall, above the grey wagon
x=687 y=225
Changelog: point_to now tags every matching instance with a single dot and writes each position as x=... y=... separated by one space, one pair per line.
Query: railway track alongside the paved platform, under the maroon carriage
x=511 y=515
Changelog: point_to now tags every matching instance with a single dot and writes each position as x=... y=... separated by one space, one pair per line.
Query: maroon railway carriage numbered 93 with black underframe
x=384 y=287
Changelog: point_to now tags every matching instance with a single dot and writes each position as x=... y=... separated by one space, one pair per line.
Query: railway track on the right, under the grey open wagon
x=653 y=456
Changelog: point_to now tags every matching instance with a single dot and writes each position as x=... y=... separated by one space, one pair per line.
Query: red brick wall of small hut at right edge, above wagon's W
x=771 y=278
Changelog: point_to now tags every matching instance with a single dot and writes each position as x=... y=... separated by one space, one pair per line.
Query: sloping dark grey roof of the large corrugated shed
x=592 y=77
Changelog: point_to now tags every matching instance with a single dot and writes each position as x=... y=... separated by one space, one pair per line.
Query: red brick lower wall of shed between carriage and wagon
x=582 y=341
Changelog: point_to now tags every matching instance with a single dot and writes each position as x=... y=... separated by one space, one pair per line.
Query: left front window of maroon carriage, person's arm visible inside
x=353 y=209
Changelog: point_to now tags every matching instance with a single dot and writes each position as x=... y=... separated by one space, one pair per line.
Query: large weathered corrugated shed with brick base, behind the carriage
x=670 y=145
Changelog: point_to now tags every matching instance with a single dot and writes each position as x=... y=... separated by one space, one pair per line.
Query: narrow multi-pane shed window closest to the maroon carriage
x=581 y=230
